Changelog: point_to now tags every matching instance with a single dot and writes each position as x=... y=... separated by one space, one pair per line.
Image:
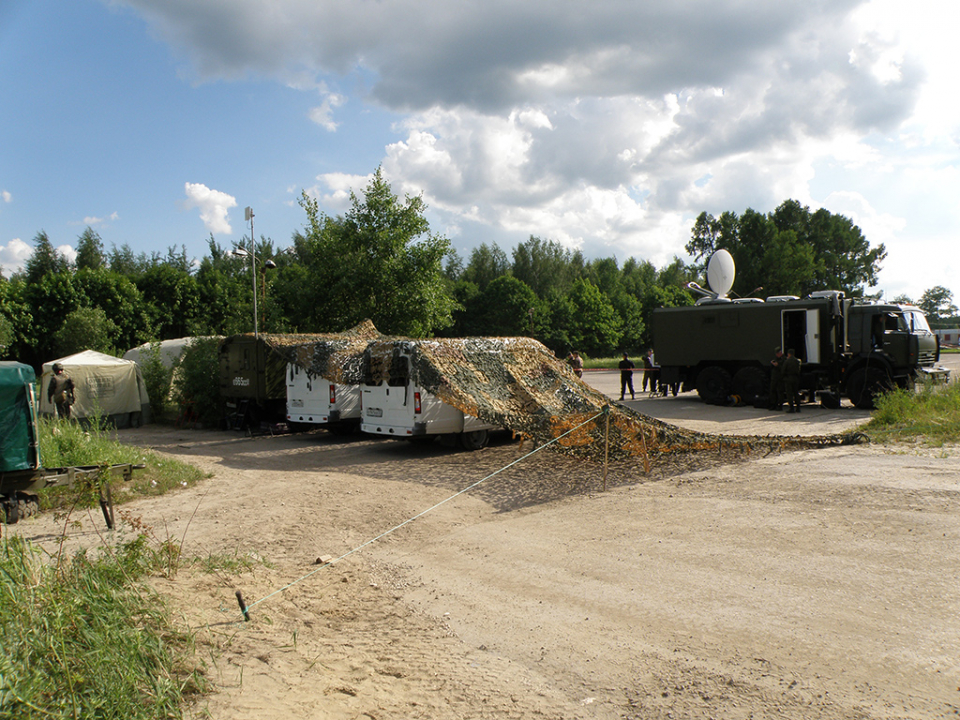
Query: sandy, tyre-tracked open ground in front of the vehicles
x=815 y=584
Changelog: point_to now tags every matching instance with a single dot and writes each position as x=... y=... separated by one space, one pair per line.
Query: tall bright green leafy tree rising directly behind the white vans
x=379 y=261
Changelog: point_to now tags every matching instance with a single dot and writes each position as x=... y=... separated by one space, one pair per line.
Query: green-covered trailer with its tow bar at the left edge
x=21 y=472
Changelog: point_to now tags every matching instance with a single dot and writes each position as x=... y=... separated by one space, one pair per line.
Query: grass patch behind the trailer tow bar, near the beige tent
x=72 y=444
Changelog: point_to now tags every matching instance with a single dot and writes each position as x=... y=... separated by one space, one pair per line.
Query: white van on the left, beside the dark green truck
x=315 y=400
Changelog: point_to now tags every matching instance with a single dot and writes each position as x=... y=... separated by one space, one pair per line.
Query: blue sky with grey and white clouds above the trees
x=607 y=126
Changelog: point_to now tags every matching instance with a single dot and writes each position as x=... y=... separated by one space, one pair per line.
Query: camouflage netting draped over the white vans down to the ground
x=518 y=384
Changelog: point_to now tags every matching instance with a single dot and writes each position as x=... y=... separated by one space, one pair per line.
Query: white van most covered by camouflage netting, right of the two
x=400 y=409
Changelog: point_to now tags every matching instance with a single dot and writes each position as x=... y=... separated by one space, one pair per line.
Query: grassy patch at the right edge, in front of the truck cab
x=931 y=412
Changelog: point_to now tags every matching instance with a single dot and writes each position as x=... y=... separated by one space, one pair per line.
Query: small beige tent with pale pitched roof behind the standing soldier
x=106 y=386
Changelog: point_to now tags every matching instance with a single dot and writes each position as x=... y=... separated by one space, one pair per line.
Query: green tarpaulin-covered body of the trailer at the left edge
x=18 y=427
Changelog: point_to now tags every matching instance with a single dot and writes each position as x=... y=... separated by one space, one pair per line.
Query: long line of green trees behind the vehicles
x=381 y=261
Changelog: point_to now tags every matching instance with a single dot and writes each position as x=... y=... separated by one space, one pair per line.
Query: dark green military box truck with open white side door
x=722 y=347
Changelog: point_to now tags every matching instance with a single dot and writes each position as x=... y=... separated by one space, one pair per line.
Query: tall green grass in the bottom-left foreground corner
x=85 y=638
